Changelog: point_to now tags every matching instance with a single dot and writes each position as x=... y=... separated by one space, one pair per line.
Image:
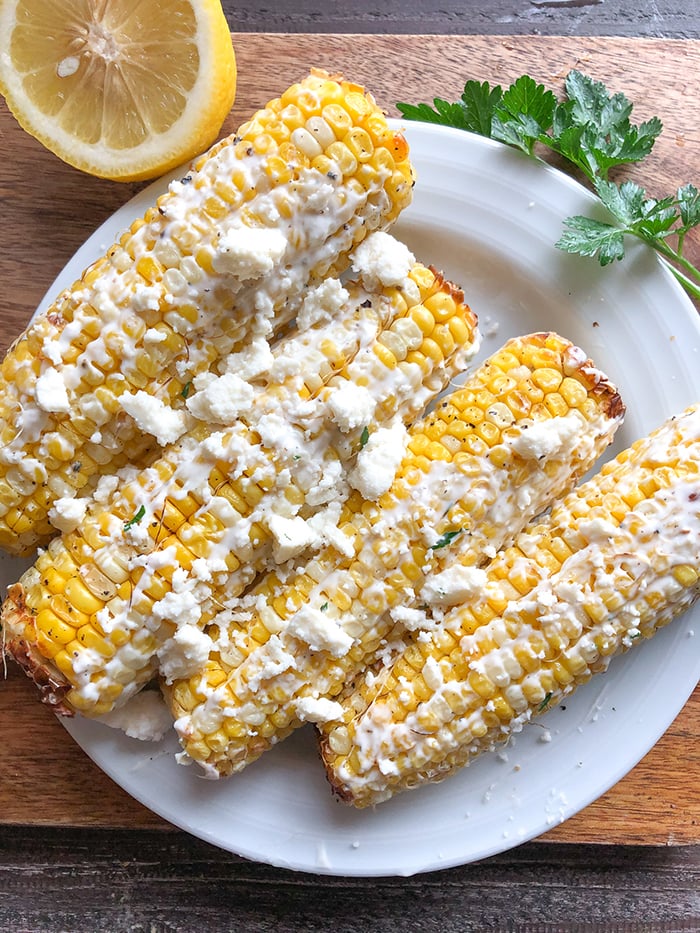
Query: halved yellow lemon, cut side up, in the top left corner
x=123 y=89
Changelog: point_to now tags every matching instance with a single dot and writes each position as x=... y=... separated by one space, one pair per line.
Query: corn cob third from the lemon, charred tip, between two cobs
x=527 y=424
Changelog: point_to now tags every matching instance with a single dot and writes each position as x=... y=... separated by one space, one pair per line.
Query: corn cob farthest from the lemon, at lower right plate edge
x=616 y=559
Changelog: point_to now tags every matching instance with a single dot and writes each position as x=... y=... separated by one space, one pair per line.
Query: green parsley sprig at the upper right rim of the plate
x=590 y=129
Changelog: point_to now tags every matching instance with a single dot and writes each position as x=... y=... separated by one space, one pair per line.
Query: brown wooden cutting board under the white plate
x=49 y=209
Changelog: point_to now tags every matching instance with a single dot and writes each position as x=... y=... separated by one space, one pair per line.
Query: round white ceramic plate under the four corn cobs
x=489 y=218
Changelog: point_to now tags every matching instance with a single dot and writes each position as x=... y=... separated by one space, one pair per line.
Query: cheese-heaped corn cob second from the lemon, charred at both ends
x=141 y=576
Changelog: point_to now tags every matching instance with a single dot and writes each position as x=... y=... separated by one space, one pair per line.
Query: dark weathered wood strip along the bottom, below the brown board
x=98 y=882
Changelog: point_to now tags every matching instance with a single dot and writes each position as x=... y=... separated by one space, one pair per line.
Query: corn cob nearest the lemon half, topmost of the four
x=224 y=254
